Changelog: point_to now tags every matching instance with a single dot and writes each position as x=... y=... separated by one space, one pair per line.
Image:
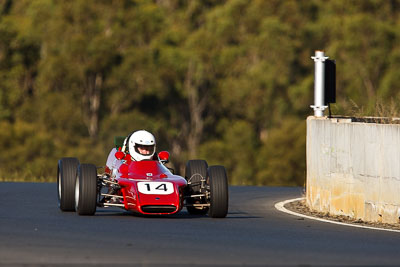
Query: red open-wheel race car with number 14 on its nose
x=145 y=187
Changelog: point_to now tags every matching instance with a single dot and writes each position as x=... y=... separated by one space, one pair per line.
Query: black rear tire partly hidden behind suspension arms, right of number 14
x=196 y=170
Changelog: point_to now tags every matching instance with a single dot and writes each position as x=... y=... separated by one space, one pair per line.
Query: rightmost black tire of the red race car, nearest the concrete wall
x=219 y=198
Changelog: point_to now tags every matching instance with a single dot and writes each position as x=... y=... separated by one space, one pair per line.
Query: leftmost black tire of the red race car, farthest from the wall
x=66 y=176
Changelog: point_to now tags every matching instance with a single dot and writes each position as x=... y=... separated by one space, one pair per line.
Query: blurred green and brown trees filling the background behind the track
x=228 y=81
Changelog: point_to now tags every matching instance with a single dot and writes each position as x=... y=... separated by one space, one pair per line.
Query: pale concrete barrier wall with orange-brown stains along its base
x=353 y=169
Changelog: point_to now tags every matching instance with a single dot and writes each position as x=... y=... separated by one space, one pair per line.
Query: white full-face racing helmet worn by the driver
x=142 y=145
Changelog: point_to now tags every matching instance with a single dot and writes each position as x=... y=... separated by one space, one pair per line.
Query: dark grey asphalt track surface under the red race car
x=33 y=231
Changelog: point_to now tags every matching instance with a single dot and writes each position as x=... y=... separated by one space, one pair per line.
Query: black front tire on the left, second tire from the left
x=86 y=190
